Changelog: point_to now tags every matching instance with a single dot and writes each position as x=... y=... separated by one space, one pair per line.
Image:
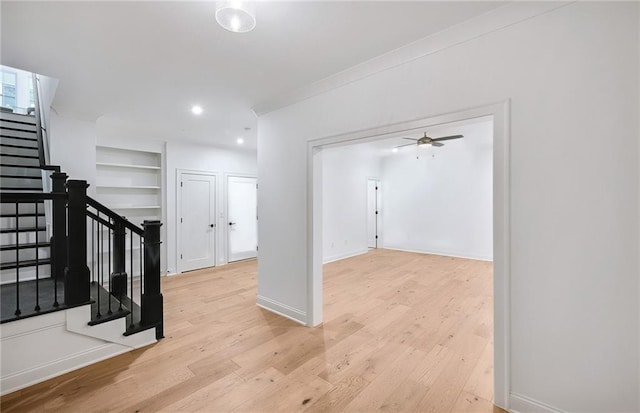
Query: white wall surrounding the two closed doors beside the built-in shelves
x=194 y=157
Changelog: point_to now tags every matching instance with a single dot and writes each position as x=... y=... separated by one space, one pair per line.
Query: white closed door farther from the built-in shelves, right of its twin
x=242 y=212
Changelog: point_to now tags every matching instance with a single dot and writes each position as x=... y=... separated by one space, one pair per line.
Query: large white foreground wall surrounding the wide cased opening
x=572 y=78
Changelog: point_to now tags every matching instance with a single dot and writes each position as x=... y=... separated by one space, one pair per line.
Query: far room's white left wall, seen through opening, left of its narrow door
x=344 y=181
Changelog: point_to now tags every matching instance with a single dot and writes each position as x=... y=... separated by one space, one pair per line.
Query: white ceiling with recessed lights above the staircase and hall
x=147 y=63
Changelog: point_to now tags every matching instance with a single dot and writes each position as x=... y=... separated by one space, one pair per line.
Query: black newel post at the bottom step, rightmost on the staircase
x=152 y=298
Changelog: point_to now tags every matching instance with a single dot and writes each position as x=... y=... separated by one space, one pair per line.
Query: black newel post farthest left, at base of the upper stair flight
x=58 y=226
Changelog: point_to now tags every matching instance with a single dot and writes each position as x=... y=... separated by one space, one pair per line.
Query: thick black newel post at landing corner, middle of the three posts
x=76 y=275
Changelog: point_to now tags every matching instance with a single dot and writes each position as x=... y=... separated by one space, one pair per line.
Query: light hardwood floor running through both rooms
x=402 y=332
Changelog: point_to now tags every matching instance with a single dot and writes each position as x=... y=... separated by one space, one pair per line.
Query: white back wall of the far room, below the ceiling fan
x=441 y=203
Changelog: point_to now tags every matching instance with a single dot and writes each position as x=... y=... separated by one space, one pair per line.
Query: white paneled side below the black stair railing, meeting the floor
x=39 y=348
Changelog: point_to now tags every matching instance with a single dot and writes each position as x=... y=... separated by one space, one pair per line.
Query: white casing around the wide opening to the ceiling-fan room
x=500 y=112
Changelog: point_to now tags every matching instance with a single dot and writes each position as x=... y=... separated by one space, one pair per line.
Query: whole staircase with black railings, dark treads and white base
x=78 y=282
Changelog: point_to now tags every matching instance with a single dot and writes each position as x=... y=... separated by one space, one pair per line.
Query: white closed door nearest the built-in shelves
x=197 y=221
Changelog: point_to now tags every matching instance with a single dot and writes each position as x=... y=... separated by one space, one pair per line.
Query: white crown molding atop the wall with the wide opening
x=490 y=22
